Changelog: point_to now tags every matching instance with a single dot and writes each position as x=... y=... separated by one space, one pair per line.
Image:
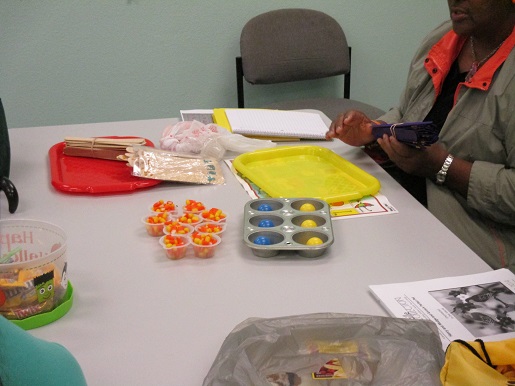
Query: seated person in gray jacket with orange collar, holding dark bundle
x=462 y=78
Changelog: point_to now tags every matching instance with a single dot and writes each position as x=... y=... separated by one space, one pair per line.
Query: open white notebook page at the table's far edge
x=276 y=123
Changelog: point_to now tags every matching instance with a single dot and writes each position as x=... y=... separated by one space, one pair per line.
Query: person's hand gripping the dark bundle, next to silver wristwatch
x=425 y=162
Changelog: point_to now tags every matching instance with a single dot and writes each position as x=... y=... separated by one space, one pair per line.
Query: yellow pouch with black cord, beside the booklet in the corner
x=479 y=363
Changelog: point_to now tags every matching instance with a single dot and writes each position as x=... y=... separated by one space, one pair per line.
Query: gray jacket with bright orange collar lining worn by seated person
x=481 y=129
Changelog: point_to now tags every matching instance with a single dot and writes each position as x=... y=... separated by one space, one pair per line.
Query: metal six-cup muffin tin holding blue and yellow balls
x=272 y=225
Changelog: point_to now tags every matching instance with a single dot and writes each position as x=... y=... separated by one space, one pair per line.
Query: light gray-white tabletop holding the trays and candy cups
x=140 y=319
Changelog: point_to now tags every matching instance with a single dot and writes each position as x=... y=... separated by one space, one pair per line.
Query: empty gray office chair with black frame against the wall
x=289 y=45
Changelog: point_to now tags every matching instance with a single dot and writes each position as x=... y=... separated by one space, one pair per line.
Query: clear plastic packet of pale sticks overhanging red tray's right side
x=158 y=164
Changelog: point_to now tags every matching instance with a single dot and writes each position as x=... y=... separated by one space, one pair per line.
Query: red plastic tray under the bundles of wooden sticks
x=92 y=175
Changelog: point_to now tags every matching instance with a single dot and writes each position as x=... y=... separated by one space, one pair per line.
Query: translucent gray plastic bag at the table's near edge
x=329 y=349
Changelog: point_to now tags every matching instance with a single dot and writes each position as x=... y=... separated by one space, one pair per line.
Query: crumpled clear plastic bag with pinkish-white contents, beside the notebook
x=207 y=140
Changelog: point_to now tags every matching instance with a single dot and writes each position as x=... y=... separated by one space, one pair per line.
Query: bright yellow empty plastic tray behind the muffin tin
x=306 y=171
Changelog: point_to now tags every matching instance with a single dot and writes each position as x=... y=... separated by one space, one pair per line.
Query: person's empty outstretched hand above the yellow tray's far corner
x=352 y=127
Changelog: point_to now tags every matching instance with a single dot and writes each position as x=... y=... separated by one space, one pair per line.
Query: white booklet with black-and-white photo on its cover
x=463 y=307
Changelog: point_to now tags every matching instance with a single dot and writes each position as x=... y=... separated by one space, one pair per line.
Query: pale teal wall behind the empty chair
x=76 y=61
